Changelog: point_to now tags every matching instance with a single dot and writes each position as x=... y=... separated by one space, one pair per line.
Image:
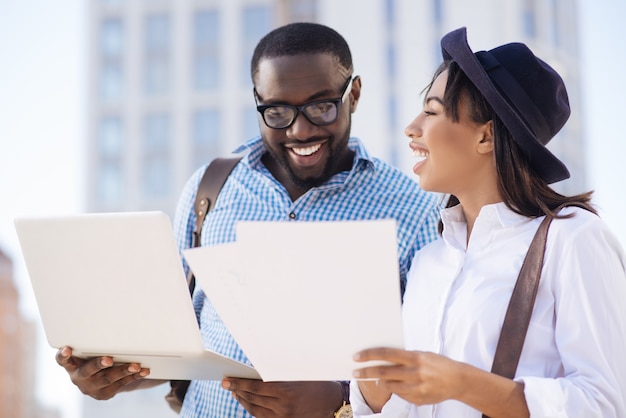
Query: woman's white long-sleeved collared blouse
x=573 y=363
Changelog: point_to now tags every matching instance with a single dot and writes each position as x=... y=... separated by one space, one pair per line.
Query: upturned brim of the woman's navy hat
x=455 y=47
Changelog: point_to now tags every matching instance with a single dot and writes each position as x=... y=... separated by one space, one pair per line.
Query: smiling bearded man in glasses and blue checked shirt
x=304 y=167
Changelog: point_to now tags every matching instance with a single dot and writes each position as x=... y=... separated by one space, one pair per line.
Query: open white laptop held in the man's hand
x=113 y=284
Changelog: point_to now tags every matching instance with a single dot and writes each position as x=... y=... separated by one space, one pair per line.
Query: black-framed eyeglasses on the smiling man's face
x=319 y=112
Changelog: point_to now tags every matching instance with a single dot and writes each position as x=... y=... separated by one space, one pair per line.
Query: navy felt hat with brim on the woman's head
x=527 y=94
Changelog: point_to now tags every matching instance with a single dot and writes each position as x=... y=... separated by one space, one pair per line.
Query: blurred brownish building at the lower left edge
x=17 y=353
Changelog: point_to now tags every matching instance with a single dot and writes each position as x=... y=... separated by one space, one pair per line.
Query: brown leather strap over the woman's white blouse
x=517 y=317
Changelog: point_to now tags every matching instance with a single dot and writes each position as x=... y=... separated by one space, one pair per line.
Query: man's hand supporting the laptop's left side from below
x=98 y=377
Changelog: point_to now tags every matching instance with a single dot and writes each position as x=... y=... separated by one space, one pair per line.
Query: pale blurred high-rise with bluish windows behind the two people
x=170 y=87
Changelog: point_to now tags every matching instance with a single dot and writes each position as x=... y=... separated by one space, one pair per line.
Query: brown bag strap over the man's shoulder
x=211 y=183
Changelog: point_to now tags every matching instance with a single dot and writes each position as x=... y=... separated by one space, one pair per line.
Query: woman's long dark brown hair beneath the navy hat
x=522 y=189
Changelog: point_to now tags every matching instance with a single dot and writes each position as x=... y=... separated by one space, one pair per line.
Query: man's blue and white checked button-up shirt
x=370 y=190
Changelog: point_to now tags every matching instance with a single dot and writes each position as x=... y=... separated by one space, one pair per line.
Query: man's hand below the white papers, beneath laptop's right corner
x=286 y=399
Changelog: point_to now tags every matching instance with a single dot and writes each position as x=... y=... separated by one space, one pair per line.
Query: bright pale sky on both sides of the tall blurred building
x=42 y=126
